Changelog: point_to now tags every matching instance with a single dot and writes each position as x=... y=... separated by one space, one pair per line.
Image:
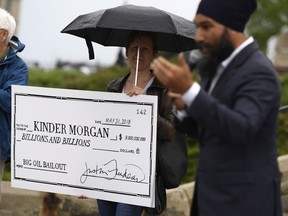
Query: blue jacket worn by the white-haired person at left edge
x=13 y=71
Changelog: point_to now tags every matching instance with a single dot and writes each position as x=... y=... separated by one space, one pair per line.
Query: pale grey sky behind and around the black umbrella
x=41 y=21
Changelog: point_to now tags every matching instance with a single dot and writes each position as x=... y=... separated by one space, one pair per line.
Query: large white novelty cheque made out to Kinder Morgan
x=98 y=144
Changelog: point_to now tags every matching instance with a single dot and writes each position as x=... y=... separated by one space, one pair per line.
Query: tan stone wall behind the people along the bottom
x=19 y=202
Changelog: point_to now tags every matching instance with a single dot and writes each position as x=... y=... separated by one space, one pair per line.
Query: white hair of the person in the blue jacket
x=7 y=22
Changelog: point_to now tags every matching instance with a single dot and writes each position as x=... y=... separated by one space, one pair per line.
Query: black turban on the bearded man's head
x=231 y=13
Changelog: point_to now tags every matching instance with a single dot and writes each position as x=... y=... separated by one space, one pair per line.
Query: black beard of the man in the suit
x=207 y=67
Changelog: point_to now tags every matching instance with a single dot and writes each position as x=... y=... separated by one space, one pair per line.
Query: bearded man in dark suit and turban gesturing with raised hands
x=233 y=112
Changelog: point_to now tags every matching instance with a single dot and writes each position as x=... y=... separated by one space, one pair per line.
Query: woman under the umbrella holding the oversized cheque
x=141 y=49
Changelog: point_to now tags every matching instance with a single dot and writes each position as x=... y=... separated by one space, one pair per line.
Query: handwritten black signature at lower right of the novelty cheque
x=110 y=170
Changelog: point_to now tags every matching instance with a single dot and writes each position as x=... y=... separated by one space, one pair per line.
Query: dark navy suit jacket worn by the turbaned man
x=237 y=170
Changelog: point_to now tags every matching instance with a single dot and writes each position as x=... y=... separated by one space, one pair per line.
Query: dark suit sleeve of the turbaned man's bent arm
x=239 y=112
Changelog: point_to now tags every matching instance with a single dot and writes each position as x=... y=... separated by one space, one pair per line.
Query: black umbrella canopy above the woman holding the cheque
x=111 y=27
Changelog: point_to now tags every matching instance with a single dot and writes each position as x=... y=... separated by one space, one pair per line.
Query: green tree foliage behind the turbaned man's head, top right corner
x=268 y=20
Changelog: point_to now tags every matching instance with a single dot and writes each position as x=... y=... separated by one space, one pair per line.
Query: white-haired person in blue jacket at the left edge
x=13 y=71
